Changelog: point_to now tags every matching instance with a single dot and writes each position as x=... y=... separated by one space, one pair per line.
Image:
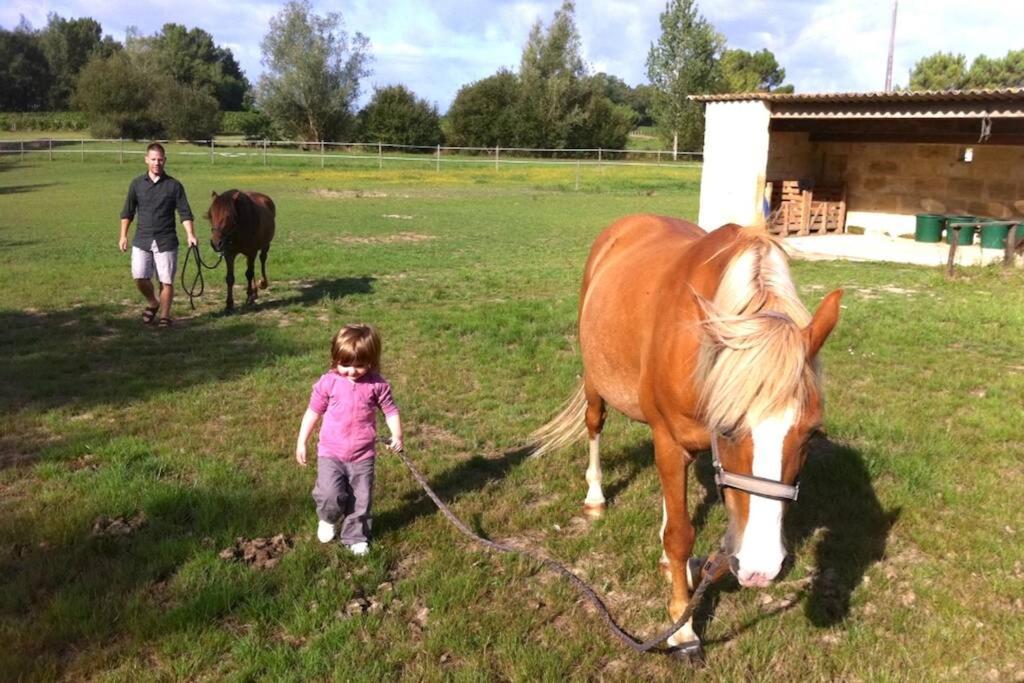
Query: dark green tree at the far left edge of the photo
x=25 y=73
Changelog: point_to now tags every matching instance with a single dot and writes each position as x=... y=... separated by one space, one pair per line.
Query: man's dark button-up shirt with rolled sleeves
x=156 y=203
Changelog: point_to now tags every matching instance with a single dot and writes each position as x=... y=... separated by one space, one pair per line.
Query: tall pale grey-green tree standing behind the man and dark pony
x=314 y=72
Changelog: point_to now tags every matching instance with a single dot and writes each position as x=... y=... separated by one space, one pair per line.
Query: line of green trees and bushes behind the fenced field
x=179 y=82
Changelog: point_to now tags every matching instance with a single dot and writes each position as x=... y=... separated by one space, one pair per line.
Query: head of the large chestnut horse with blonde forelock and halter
x=763 y=405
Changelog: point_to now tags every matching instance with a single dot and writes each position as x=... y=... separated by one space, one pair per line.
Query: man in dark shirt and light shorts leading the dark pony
x=156 y=196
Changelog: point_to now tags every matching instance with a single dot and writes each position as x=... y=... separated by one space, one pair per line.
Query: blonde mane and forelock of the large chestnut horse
x=753 y=363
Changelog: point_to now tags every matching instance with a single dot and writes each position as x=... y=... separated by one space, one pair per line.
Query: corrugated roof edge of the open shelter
x=994 y=95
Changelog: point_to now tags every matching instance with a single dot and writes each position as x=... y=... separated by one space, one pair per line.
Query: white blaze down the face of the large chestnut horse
x=761 y=552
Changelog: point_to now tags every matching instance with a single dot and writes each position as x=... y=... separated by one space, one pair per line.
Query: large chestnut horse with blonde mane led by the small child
x=702 y=336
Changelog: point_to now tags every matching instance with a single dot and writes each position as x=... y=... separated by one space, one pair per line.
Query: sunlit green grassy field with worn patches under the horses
x=132 y=458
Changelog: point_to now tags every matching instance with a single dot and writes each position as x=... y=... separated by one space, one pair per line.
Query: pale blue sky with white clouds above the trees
x=436 y=47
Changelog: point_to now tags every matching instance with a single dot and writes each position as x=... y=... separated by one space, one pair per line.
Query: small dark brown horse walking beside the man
x=242 y=223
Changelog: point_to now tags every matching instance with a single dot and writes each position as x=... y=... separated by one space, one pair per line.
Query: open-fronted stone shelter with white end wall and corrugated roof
x=885 y=157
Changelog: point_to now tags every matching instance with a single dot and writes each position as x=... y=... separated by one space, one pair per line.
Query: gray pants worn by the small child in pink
x=347 y=491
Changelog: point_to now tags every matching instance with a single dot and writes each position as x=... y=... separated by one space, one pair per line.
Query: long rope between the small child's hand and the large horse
x=710 y=571
